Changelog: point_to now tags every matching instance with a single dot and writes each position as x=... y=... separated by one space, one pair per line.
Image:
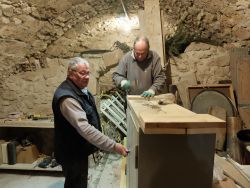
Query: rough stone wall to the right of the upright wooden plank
x=216 y=26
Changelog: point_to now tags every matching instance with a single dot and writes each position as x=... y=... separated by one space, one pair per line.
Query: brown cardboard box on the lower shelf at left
x=27 y=154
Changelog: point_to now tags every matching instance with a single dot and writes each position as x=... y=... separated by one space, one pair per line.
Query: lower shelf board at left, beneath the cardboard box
x=33 y=166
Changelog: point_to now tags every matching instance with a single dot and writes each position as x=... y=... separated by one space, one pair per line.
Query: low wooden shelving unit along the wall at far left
x=42 y=132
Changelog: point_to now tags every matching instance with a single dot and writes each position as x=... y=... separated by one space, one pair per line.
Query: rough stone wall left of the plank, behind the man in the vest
x=39 y=36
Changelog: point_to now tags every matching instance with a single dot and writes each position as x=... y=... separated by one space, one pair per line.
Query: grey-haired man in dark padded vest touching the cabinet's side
x=77 y=125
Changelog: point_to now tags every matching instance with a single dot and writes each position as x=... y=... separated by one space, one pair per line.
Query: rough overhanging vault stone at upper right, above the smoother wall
x=224 y=22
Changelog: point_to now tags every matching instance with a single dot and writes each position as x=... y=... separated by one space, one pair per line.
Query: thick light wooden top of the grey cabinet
x=171 y=118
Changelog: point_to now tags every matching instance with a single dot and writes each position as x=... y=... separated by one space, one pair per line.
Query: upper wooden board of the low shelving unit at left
x=27 y=123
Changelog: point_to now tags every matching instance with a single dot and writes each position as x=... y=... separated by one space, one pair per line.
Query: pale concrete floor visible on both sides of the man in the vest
x=106 y=174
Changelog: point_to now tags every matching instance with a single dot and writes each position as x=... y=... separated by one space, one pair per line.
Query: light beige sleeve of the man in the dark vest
x=76 y=116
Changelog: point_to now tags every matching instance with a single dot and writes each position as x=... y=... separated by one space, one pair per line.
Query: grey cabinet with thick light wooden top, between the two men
x=169 y=145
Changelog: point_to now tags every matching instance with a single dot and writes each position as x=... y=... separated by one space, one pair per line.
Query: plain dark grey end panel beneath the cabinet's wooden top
x=175 y=161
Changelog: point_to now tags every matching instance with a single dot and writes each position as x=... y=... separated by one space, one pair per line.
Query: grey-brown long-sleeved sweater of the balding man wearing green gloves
x=142 y=75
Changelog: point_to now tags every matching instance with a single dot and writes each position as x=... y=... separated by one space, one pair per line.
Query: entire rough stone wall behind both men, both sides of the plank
x=37 y=37
